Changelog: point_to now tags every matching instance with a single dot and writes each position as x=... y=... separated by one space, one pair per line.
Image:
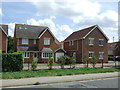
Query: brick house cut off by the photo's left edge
x=3 y=38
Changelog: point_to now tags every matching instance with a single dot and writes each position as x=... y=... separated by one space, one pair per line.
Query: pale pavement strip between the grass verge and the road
x=55 y=79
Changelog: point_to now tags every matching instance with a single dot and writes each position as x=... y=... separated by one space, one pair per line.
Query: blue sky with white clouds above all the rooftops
x=62 y=16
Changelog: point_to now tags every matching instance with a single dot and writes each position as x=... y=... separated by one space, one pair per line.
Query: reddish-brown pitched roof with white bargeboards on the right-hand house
x=81 y=34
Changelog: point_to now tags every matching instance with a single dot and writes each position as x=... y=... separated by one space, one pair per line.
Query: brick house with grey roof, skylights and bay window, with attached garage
x=36 y=42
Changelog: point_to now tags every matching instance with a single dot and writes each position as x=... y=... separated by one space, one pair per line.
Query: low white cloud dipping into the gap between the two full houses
x=60 y=31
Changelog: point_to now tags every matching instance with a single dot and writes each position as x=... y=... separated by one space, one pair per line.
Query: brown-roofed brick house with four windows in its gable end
x=88 y=42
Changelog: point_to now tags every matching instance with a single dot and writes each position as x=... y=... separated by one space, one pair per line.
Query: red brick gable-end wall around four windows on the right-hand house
x=96 y=34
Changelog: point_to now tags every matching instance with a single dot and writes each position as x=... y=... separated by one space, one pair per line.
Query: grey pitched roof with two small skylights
x=29 y=31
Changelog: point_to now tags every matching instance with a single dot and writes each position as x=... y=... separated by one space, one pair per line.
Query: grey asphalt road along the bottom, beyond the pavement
x=99 y=83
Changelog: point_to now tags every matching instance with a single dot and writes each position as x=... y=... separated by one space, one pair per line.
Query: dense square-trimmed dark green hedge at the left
x=12 y=62
